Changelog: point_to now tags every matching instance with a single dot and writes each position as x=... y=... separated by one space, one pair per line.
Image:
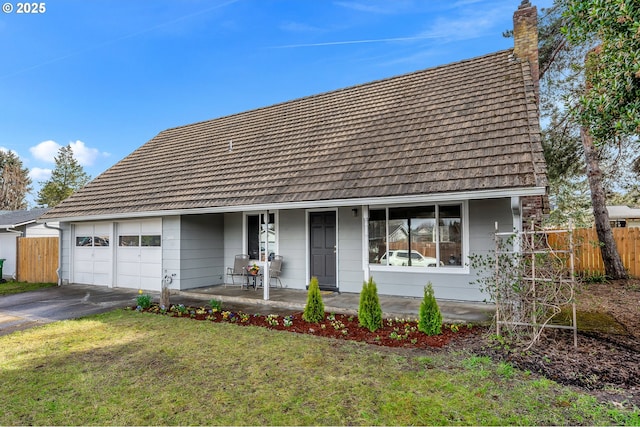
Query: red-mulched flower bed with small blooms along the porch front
x=394 y=333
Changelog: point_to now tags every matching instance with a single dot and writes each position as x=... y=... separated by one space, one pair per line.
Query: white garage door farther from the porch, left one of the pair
x=92 y=254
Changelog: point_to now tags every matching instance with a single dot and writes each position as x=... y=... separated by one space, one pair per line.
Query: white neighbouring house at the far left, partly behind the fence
x=15 y=224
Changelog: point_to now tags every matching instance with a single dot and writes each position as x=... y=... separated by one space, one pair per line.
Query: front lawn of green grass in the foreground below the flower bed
x=131 y=368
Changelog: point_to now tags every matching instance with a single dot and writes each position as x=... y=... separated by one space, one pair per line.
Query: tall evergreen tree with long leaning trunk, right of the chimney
x=569 y=30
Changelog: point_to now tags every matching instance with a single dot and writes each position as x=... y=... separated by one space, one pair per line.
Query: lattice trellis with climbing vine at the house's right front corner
x=530 y=281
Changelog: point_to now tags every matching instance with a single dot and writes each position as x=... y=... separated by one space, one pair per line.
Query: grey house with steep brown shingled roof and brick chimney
x=443 y=153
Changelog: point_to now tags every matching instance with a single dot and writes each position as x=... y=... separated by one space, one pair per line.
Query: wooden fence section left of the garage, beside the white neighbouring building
x=37 y=259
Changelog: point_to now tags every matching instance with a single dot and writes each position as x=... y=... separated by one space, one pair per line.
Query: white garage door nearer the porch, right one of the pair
x=139 y=255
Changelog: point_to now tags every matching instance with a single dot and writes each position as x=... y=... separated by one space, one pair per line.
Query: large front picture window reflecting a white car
x=420 y=236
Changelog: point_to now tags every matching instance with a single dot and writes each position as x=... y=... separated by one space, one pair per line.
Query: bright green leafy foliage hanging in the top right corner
x=611 y=106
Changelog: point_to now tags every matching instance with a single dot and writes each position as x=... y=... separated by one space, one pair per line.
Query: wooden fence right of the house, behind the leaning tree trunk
x=588 y=259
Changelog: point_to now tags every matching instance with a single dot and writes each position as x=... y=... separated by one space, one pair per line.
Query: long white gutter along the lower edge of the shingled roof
x=313 y=204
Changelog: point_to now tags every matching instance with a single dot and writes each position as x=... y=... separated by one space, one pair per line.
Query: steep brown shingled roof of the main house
x=466 y=126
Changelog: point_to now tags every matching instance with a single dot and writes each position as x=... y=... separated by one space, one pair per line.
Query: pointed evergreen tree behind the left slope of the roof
x=67 y=177
